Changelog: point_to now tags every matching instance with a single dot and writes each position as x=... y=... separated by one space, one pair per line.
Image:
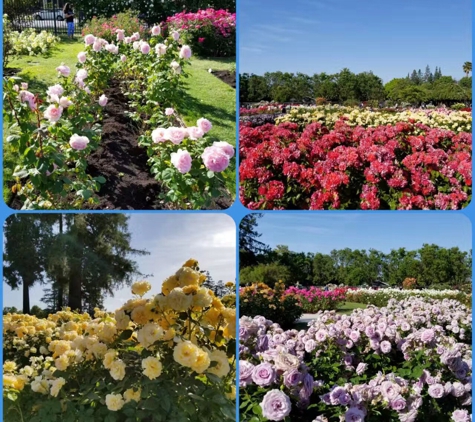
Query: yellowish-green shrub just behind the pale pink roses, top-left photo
x=106 y=27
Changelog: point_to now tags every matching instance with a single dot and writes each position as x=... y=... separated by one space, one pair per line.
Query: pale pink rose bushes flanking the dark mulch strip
x=55 y=133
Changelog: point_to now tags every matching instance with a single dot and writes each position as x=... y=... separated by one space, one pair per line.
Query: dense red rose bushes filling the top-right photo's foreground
x=401 y=166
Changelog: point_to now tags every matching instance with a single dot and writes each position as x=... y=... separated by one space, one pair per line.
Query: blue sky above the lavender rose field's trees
x=323 y=232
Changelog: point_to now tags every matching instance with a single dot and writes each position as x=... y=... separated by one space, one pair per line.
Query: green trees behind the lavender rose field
x=431 y=265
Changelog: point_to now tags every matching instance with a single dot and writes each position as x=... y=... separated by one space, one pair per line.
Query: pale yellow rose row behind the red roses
x=441 y=118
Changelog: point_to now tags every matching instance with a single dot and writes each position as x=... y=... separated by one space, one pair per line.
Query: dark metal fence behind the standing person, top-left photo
x=46 y=15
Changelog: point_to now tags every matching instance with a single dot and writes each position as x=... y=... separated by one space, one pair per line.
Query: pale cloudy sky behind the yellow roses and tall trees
x=171 y=239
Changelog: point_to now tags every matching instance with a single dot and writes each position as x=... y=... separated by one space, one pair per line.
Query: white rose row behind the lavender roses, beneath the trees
x=382 y=297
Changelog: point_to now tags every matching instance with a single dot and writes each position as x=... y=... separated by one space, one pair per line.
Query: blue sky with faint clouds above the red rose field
x=391 y=38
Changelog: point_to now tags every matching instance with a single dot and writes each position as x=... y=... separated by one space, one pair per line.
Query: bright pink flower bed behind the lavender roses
x=313 y=299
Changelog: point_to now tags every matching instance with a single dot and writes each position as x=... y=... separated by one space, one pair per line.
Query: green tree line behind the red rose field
x=349 y=88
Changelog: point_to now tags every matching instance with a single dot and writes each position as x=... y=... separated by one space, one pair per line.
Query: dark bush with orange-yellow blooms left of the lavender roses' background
x=260 y=299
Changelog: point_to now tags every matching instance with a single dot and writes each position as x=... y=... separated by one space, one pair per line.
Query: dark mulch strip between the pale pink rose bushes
x=129 y=183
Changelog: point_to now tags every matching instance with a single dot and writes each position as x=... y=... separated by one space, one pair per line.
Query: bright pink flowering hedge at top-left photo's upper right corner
x=209 y=32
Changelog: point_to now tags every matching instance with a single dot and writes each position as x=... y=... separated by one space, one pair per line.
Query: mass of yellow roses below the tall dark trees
x=185 y=321
